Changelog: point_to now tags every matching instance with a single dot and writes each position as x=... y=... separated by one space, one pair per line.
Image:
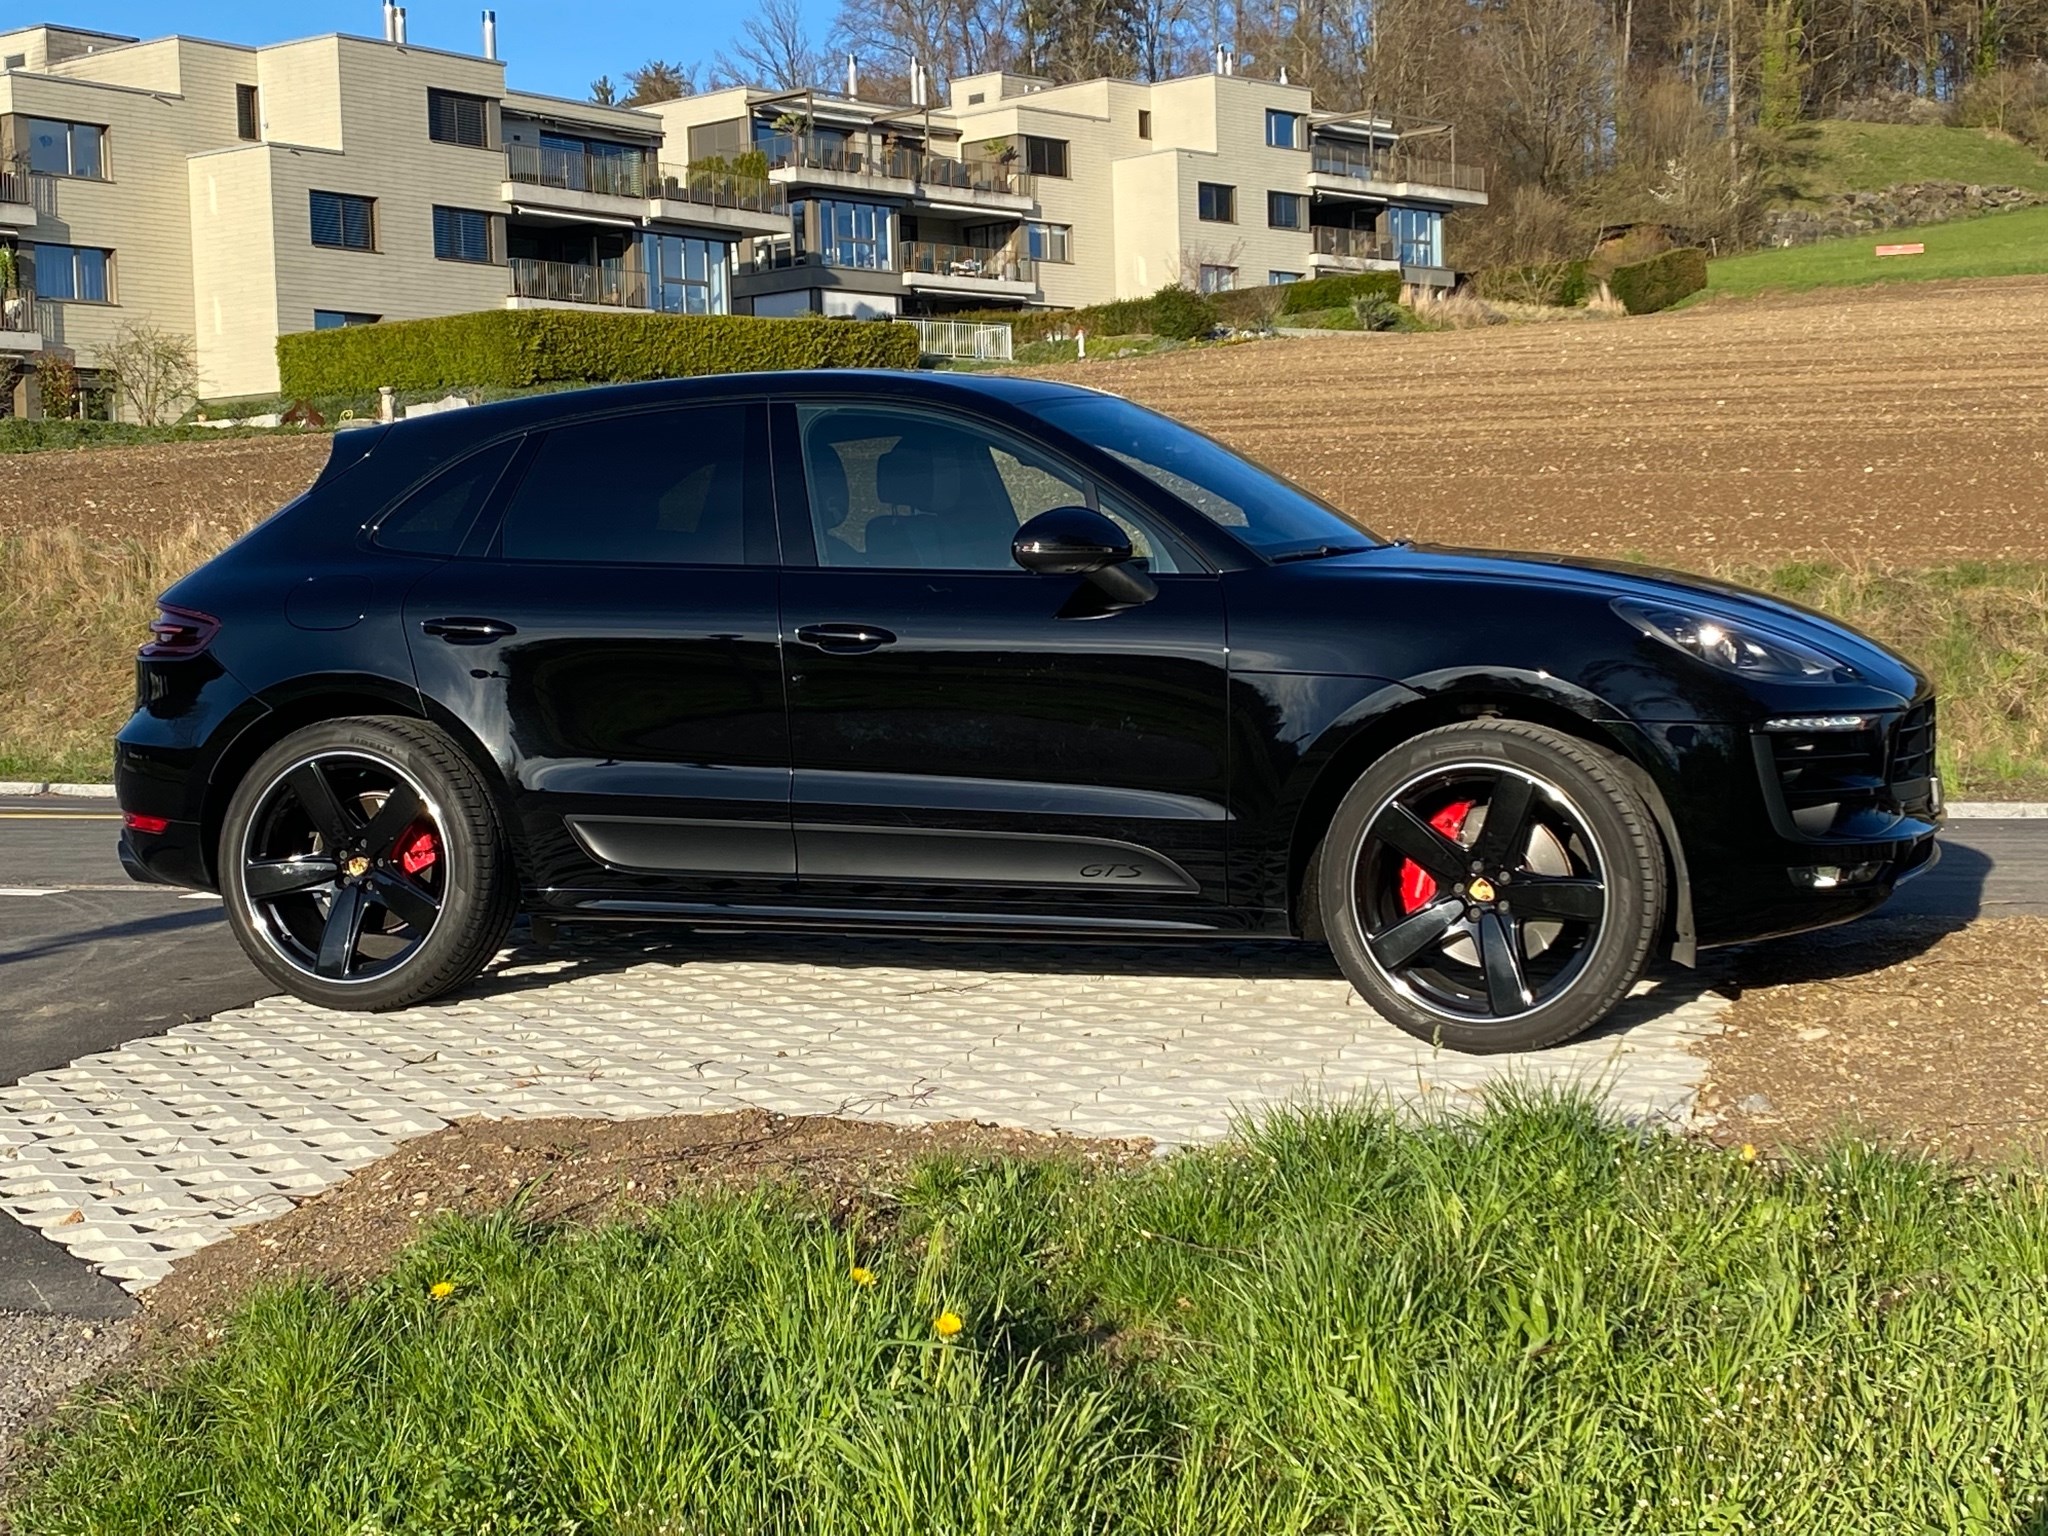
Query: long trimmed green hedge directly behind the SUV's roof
x=515 y=349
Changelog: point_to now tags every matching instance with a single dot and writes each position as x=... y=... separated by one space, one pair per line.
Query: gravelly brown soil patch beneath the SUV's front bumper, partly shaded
x=1893 y=1029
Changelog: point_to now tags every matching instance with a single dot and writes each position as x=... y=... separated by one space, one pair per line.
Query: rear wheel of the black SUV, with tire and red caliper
x=364 y=865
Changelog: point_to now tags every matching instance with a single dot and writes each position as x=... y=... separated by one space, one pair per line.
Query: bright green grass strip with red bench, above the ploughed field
x=1996 y=245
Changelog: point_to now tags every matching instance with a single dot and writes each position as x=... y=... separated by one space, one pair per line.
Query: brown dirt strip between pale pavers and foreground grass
x=583 y=1172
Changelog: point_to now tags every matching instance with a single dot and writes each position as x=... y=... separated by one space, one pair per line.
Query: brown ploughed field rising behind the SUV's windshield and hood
x=1904 y=425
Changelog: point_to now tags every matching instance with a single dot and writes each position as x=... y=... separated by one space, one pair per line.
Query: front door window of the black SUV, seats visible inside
x=904 y=490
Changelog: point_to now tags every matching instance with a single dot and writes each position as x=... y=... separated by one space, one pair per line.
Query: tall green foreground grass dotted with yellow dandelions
x=1525 y=1324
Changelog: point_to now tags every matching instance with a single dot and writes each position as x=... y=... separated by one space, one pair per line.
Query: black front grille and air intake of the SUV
x=1852 y=783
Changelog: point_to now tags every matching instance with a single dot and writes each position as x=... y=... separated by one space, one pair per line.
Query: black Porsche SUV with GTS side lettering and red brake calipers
x=984 y=656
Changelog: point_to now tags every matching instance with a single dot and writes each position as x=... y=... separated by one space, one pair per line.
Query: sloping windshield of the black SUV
x=1258 y=507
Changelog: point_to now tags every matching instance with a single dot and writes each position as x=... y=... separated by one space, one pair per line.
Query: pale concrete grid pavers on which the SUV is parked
x=138 y=1156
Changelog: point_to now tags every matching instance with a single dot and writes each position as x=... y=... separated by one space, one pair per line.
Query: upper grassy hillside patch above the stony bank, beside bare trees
x=1826 y=159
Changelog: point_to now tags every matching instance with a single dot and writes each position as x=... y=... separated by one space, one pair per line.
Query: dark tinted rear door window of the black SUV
x=660 y=488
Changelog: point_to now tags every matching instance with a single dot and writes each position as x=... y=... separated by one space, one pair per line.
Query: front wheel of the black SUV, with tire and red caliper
x=1506 y=943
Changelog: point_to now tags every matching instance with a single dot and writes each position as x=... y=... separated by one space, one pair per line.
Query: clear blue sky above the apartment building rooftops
x=548 y=48
